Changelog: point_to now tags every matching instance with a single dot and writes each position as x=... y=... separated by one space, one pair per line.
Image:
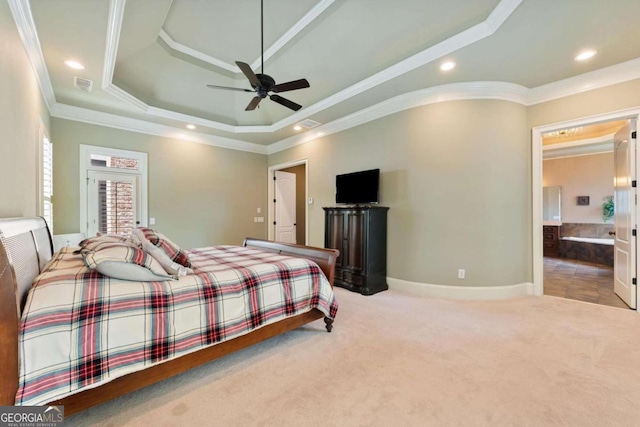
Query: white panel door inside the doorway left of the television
x=285 y=207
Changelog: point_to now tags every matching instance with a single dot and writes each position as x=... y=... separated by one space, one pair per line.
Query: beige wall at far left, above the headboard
x=22 y=109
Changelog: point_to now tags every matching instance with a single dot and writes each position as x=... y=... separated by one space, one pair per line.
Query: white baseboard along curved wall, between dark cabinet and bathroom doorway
x=461 y=292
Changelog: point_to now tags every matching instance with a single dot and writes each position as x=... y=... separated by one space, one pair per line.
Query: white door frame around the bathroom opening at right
x=536 y=180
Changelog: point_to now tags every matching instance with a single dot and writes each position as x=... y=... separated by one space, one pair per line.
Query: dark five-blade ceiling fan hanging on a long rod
x=263 y=84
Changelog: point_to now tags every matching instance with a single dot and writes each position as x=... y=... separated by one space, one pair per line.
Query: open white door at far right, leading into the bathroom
x=624 y=270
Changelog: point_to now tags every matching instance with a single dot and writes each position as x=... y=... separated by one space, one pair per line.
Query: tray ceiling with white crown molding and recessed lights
x=151 y=60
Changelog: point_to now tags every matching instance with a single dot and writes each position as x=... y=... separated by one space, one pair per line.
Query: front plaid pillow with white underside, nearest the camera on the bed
x=124 y=261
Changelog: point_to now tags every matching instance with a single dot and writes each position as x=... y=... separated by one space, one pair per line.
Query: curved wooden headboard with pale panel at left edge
x=26 y=248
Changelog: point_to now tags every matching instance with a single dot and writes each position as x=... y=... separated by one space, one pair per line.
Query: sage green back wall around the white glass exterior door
x=200 y=195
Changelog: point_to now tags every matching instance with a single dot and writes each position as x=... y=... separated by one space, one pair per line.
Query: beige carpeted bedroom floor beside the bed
x=398 y=360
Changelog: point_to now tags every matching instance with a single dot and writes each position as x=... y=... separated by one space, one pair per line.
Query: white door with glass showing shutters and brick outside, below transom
x=112 y=200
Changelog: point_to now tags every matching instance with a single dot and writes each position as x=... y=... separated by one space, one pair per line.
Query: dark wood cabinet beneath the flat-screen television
x=360 y=234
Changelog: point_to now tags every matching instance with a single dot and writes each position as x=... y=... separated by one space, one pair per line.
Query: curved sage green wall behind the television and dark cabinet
x=456 y=176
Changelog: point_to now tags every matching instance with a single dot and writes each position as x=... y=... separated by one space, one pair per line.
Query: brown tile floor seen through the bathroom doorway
x=579 y=280
